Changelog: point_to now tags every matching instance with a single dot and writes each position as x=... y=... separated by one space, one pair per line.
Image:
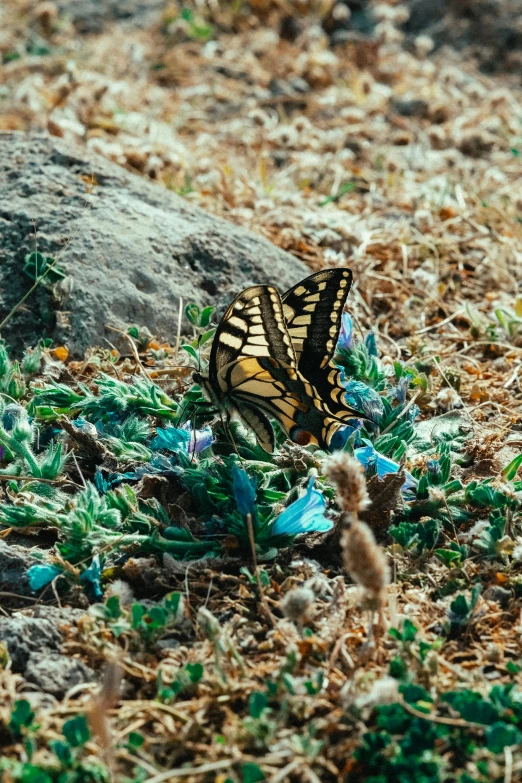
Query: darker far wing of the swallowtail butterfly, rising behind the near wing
x=313 y=310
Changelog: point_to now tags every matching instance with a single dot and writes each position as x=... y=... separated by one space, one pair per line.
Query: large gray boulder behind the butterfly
x=133 y=253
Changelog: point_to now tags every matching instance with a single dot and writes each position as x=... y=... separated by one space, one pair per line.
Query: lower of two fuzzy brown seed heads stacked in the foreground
x=365 y=561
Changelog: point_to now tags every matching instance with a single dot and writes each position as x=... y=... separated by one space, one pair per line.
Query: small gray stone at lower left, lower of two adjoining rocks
x=55 y=673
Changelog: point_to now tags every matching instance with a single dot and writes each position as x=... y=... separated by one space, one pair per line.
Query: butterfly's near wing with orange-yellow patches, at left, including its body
x=253 y=372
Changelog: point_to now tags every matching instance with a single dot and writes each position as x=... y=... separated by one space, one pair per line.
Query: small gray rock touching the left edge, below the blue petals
x=26 y=635
